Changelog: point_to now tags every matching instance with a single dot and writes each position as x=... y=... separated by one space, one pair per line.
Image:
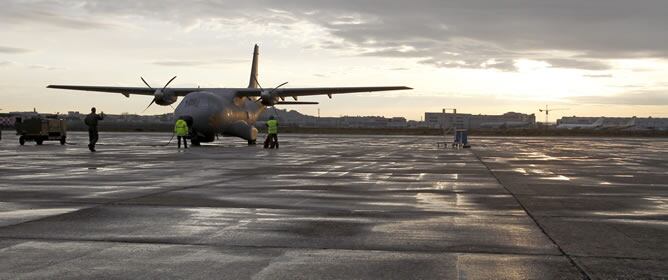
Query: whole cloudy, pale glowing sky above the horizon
x=580 y=57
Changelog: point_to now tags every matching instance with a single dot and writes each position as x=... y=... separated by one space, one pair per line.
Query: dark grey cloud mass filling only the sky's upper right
x=469 y=34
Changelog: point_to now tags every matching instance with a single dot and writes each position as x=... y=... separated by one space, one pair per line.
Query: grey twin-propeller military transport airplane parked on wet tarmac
x=226 y=111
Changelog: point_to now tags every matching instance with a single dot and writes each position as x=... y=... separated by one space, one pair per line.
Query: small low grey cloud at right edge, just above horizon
x=642 y=97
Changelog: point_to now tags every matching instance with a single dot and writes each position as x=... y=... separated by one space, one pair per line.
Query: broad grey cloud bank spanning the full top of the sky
x=445 y=33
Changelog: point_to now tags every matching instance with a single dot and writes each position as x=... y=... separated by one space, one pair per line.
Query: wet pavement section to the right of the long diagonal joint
x=601 y=200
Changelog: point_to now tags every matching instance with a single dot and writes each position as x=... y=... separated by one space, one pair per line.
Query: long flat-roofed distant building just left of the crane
x=470 y=121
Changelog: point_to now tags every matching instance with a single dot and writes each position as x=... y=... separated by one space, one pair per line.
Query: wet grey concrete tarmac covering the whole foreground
x=334 y=207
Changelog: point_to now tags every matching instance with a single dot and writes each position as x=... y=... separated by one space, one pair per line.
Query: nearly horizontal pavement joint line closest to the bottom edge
x=146 y=242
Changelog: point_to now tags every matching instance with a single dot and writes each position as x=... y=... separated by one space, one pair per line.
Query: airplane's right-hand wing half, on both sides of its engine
x=294 y=92
